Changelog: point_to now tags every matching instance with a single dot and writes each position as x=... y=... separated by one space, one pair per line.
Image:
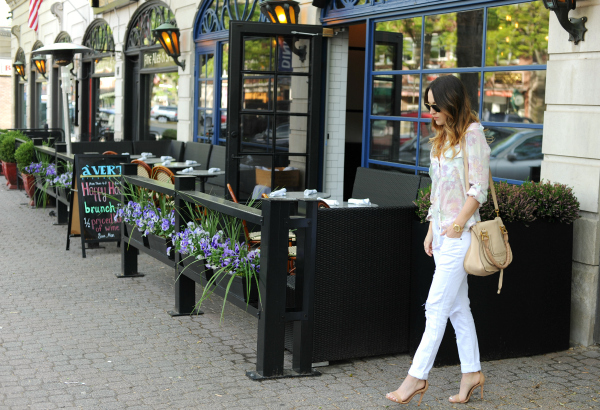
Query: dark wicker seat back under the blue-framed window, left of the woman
x=386 y=188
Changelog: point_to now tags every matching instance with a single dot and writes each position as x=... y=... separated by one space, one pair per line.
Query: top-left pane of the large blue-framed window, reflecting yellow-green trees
x=398 y=45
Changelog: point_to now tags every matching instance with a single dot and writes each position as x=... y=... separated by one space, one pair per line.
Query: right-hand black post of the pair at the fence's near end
x=306 y=245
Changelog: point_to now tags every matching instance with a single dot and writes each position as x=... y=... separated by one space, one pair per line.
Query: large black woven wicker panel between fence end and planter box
x=362 y=283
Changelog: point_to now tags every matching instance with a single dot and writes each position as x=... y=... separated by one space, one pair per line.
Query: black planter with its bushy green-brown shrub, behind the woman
x=532 y=313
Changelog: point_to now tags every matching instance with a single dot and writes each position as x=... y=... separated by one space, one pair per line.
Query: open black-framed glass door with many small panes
x=274 y=107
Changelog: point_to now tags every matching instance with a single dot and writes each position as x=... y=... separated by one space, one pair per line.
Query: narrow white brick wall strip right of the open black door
x=335 y=126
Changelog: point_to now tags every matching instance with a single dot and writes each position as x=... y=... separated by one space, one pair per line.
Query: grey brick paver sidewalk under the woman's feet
x=72 y=335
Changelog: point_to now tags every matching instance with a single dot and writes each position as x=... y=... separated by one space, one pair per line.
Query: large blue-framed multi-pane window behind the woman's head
x=503 y=69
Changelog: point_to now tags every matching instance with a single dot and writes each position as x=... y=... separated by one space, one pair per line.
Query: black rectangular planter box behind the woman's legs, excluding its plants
x=531 y=315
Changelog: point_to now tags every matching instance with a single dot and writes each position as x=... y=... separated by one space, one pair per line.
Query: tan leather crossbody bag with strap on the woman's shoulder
x=489 y=251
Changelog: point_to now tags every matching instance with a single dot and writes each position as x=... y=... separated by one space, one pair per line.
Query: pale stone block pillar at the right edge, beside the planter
x=572 y=155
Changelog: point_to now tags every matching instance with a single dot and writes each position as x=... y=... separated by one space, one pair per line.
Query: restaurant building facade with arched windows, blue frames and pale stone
x=321 y=106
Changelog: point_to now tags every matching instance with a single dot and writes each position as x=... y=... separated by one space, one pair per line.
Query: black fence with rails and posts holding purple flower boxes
x=275 y=218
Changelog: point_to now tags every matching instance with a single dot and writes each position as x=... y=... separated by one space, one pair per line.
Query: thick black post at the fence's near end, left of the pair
x=272 y=284
